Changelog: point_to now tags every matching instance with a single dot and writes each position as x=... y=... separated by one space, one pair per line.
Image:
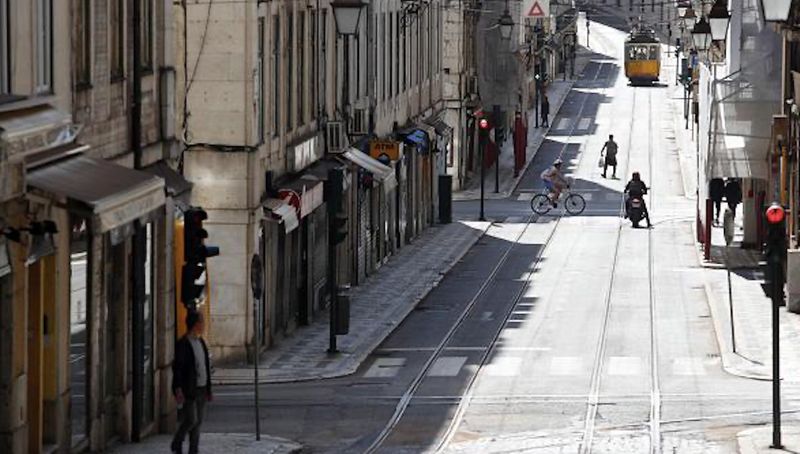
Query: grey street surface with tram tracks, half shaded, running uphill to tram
x=554 y=333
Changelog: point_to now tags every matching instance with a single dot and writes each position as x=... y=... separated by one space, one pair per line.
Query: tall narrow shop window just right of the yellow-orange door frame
x=79 y=304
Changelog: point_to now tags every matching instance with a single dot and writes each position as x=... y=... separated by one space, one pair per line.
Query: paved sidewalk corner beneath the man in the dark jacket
x=214 y=442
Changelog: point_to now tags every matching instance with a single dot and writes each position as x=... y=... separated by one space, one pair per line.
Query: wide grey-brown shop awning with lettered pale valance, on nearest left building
x=112 y=194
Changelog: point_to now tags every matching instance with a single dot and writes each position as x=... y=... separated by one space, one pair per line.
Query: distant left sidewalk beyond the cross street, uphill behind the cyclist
x=557 y=92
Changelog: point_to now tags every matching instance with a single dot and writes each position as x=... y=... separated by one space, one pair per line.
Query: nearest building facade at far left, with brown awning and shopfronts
x=87 y=292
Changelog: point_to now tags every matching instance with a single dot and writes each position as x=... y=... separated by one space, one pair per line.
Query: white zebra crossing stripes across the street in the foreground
x=557 y=366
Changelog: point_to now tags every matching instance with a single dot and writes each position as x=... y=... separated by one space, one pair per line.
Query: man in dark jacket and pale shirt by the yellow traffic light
x=191 y=383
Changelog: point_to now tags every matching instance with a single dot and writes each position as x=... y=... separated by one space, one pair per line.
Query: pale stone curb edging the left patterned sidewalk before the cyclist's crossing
x=353 y=362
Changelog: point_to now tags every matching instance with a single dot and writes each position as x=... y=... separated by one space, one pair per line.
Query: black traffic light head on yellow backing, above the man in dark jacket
x=195 y=253
